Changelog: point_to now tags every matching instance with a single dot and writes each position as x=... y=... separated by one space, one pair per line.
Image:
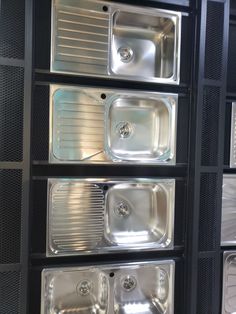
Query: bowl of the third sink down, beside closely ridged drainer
x=136 y=214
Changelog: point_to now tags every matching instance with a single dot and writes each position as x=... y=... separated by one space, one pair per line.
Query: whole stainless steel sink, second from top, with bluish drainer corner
x=89 y=125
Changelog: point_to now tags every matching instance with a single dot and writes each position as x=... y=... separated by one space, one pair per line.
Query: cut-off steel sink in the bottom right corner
x=229 y=283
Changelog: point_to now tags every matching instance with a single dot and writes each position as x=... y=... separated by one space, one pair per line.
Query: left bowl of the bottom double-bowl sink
x=75 y=291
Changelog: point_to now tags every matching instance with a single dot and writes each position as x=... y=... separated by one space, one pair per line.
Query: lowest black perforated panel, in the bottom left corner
x=10 y=292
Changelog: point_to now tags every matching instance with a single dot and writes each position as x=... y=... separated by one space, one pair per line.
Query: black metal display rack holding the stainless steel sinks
x=205 y=93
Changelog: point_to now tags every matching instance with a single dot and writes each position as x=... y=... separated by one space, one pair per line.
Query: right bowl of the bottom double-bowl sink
x=142 y=290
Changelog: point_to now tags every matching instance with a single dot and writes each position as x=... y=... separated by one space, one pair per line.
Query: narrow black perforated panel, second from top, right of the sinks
x=210 y=125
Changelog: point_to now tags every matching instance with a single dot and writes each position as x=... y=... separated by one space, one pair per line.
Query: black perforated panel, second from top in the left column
x=11 y=113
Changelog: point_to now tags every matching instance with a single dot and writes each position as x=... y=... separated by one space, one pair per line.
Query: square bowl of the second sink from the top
x=140 y=129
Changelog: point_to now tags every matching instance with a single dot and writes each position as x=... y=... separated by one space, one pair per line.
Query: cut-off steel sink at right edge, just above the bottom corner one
x=228 y=224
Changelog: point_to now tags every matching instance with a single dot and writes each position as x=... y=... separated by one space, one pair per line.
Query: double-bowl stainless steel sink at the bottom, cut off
x=145 y=288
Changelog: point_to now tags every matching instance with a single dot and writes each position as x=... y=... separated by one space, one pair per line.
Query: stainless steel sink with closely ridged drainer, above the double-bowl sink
x=90 y=216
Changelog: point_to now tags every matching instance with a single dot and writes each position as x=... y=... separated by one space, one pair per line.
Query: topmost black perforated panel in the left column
x=12 y=26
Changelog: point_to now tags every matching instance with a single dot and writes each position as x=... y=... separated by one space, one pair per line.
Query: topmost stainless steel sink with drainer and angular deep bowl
x=126 y=41
